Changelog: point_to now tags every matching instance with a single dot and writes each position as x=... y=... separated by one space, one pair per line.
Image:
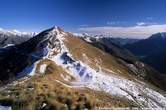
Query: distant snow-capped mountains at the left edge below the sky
x=13 y=37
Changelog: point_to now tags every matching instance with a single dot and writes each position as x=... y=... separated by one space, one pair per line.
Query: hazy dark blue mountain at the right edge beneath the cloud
x=151 y=51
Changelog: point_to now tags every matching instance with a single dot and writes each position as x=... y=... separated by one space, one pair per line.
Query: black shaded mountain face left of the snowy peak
x=14 y=58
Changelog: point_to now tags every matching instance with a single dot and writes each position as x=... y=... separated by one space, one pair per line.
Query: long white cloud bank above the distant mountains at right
x=138 y=31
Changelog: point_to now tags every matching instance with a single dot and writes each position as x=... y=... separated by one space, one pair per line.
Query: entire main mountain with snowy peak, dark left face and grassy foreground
x=67 y=72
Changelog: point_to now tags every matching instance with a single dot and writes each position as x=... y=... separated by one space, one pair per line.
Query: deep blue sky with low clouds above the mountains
x=92 y=16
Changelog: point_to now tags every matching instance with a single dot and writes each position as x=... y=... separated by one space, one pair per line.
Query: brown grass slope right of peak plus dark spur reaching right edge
x=96 y=58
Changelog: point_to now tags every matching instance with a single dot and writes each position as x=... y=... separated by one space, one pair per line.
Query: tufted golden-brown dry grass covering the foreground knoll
x=39 y=89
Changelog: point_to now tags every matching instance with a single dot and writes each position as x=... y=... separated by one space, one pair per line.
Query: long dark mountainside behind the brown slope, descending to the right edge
x=127 y=59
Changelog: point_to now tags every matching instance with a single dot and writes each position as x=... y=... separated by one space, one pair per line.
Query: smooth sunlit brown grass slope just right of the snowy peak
x=95 y=57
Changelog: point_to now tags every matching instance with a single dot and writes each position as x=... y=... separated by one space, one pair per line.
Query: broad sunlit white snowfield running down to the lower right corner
x=118 y=86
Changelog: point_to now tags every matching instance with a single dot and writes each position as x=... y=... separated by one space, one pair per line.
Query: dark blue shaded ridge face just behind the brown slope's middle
x=109 y=45
